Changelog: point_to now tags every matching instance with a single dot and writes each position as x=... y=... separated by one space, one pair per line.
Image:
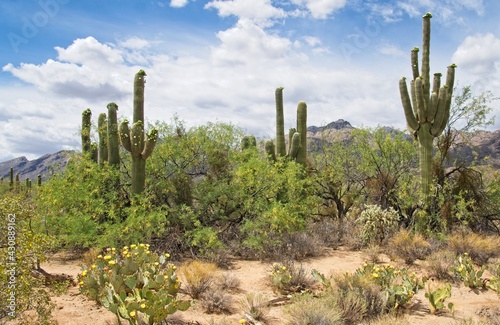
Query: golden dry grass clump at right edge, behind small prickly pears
x=479 y=247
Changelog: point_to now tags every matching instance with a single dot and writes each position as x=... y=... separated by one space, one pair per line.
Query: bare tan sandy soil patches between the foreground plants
x=74 y=308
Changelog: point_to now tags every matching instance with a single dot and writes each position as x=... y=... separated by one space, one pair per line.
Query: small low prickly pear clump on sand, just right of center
x=287 y=277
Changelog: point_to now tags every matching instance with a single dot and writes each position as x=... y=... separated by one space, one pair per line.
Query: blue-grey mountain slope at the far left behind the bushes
x=45 y=166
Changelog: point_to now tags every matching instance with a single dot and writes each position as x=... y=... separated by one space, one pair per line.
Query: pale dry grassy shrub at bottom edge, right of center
x=307 y=309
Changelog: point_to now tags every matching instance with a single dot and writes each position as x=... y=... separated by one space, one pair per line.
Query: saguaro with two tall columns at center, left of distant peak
x=297 y=149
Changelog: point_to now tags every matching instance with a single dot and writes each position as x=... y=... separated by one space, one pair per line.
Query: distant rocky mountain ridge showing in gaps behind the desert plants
x=484 y=144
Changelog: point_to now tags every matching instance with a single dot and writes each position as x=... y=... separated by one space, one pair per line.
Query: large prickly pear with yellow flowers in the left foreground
x=135 y=284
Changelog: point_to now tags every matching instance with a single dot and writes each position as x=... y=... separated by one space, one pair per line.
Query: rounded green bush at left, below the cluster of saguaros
x=81 y=203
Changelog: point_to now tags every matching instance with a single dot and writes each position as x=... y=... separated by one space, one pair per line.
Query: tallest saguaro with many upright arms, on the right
x=427 y=112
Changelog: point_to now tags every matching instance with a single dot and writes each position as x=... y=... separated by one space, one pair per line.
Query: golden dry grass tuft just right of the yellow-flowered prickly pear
x=198 y=277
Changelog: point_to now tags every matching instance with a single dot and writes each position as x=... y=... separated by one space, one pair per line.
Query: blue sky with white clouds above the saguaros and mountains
x=221 y=60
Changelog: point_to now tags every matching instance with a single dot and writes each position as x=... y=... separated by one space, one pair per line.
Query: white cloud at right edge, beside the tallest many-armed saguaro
x=478 y=54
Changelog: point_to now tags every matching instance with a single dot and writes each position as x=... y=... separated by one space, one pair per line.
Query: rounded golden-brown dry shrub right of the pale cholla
x=408 y=246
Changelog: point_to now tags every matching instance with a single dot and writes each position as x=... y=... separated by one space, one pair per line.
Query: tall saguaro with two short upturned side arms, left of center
x=133 y=138
